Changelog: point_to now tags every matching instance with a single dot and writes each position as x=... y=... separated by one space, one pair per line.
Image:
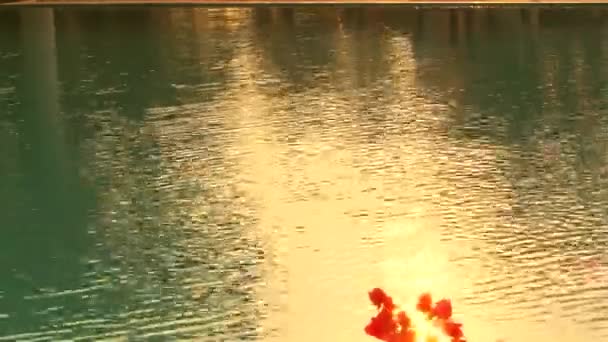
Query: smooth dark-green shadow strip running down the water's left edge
x=44 y=229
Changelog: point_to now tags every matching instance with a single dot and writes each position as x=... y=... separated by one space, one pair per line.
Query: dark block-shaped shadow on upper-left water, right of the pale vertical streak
x=117 y=56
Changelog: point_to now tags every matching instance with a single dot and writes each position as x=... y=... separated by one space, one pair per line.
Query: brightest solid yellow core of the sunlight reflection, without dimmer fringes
x=350 y=238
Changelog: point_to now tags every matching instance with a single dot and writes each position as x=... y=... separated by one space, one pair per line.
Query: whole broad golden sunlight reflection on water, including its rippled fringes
x=342 y=206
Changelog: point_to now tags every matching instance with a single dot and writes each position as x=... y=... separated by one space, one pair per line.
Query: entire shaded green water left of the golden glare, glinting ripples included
x=107 y=227
